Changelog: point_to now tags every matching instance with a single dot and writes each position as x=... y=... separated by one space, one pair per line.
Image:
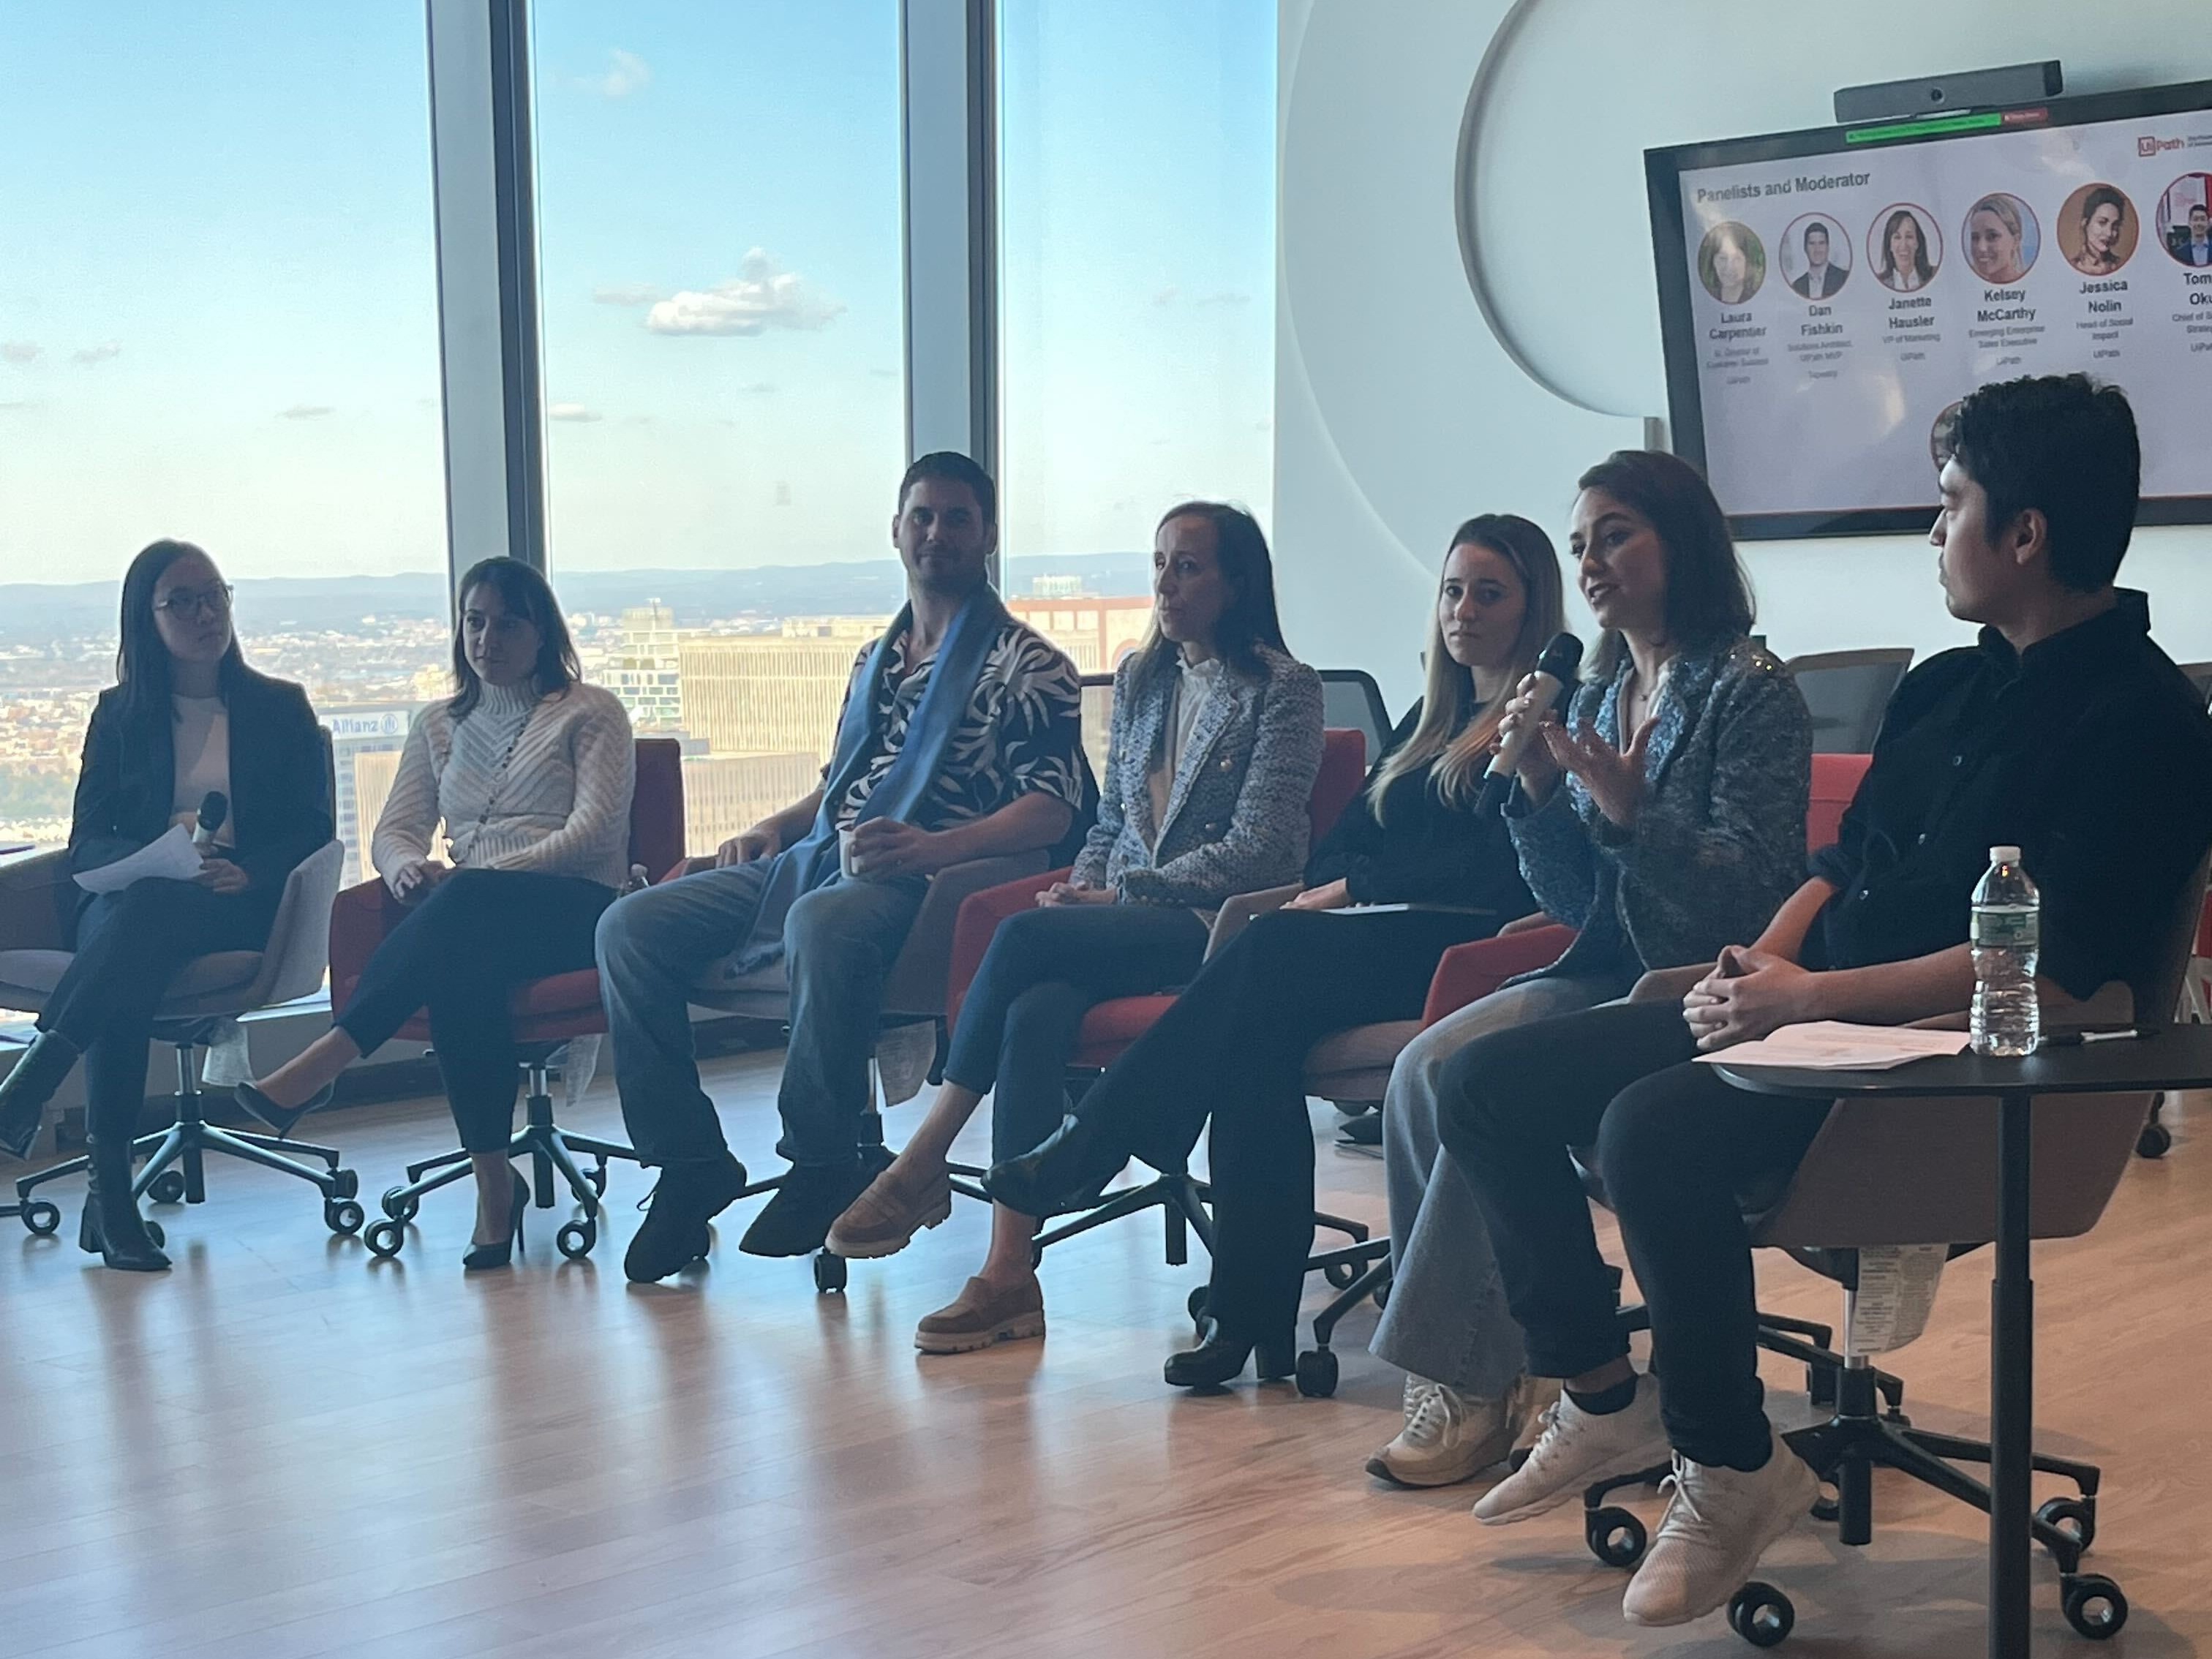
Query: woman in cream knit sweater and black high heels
x=530 y=771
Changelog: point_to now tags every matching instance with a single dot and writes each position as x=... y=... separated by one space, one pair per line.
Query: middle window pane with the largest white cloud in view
x=722 y=302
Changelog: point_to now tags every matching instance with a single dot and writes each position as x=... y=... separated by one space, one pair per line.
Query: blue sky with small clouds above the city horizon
x=218 y=304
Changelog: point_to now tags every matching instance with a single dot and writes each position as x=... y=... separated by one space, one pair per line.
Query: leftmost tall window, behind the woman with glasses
x=218 y=322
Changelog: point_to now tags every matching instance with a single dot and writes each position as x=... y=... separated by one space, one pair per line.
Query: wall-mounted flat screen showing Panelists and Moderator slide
x=1828 y=298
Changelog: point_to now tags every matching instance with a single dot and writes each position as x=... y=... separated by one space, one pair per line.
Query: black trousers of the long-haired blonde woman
x=1233 y=1047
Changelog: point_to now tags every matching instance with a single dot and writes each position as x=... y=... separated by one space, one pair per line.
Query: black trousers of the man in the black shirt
x=1676 y=1145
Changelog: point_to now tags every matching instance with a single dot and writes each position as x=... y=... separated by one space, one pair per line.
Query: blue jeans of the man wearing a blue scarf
x=839 y=946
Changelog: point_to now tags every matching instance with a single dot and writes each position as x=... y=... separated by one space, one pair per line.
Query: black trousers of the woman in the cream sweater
x=461 y=952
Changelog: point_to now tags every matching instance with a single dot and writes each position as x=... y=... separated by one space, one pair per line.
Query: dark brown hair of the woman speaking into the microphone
x=1709 y=596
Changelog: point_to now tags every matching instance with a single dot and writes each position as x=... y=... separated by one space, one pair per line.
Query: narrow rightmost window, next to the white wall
x=1136 y=291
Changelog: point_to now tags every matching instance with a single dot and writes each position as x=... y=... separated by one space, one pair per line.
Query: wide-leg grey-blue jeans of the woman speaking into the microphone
x=1448 y=1313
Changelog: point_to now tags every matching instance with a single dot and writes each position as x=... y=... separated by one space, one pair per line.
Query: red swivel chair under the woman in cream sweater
x=550 y=1014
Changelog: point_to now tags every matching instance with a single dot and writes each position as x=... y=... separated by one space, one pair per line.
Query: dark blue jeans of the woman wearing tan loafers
x=1043 y=974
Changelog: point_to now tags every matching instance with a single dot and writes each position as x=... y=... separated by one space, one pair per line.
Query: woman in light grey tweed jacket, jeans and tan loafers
x=1213 y=760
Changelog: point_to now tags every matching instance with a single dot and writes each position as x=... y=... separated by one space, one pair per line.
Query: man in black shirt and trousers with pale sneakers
x=2067 y=733
